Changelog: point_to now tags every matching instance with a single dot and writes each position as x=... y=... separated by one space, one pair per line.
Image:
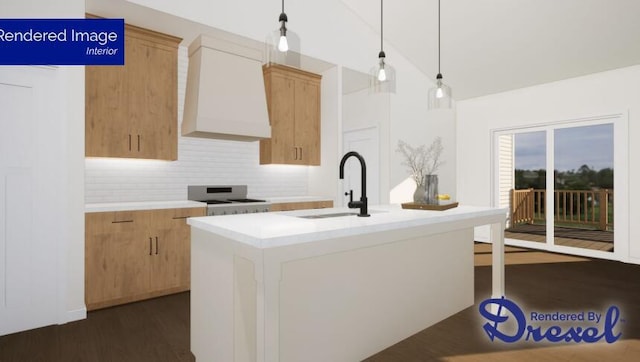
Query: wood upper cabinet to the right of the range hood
x=293 y=99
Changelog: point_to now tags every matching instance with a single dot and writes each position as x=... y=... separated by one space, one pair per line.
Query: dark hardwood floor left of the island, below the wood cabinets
x=155 y=330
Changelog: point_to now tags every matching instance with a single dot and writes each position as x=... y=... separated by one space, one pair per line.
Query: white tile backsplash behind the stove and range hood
x=200 y=161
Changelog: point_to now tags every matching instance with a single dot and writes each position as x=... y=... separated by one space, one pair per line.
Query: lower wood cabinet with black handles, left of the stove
x=135 y=255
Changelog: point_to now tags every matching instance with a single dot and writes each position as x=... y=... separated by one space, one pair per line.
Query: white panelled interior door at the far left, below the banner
x=28 y=251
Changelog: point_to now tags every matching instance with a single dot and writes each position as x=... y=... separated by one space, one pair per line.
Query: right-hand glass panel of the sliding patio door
x=583 y=183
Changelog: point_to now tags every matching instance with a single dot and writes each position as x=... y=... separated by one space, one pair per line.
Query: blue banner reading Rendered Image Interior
x=61 y=41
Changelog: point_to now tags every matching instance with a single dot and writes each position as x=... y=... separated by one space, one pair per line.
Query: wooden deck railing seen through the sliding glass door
x=585 y=207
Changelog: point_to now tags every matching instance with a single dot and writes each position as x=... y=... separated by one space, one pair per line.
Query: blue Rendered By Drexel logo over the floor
x=507 y=322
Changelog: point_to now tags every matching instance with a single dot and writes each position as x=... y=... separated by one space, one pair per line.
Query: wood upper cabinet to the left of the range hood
x=131 y=111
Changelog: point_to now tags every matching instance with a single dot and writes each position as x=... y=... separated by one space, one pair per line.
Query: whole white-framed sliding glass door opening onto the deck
x=558 y=182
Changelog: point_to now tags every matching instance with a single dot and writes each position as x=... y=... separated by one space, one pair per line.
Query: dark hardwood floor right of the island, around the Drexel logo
x=563 y=286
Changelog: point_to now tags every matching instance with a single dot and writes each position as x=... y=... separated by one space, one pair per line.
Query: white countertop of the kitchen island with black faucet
x=274 y=229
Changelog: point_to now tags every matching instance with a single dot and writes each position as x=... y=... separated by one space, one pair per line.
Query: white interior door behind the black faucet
x=366 y=143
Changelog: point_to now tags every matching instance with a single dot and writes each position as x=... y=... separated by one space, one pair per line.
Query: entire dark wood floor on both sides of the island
x=158 y=330
